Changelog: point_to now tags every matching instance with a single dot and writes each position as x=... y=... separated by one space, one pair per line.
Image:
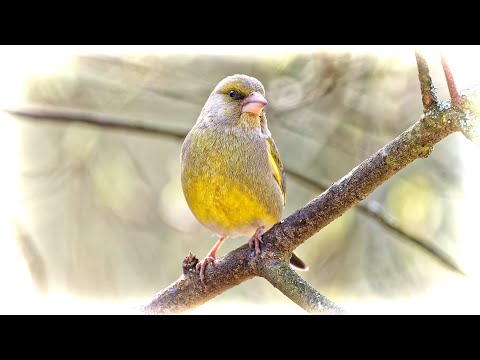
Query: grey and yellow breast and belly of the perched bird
x=228 y=182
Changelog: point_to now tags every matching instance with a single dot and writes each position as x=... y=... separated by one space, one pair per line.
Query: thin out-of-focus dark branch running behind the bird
x=116 y=123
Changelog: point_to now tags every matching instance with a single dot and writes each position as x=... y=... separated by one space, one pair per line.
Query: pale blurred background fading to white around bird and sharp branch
x=93 y=220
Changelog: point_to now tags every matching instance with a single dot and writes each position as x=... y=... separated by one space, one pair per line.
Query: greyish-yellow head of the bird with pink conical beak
x=236 y=98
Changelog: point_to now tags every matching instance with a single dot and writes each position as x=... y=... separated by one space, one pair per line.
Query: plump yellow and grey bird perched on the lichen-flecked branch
x=232 y=177
